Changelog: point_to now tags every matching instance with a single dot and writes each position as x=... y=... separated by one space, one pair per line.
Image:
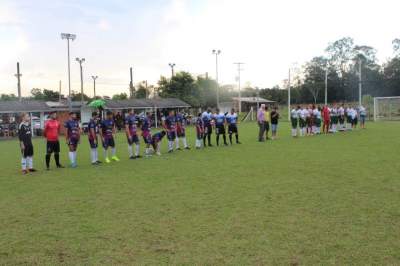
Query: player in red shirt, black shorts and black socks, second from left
x=51 y=132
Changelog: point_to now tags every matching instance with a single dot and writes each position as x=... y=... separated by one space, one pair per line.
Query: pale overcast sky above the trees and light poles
x=269 y=36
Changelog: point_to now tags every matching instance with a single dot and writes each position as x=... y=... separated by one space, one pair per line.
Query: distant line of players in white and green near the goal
x=308 y=120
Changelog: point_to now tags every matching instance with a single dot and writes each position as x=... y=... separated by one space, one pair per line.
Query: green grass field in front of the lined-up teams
x=317 y=200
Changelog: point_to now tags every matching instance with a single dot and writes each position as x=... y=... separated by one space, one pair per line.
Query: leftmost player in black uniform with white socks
x=25 y=142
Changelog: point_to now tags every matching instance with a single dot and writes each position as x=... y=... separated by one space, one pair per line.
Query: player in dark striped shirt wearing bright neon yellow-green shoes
x=107 y=133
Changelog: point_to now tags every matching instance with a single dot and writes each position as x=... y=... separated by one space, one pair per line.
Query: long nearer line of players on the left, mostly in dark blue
x=174 y=127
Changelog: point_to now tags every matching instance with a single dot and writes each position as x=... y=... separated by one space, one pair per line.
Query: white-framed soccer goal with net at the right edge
x=387 y=108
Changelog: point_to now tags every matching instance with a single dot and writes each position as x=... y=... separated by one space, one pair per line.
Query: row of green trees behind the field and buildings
x=341 y=61
